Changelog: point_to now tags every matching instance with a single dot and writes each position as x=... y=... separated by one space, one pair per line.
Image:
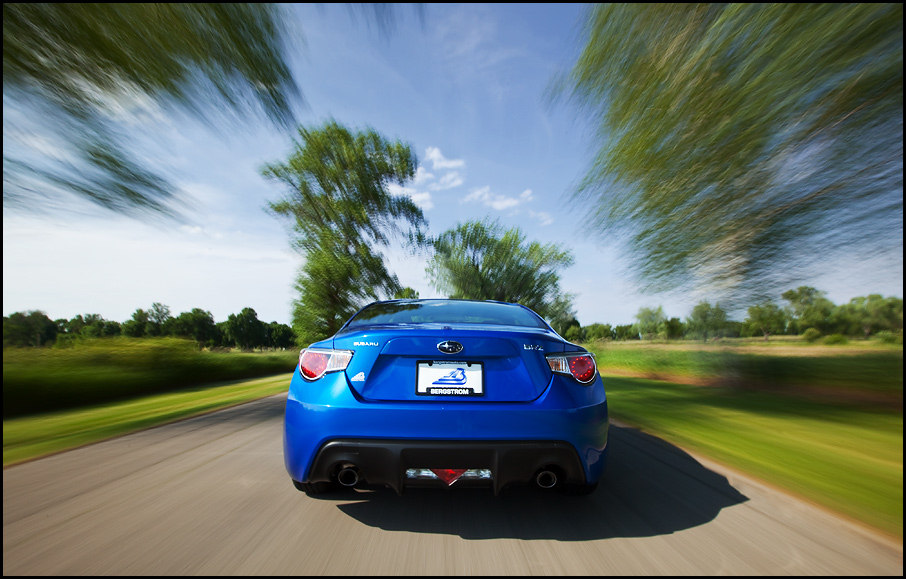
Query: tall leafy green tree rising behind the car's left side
x=341 y=209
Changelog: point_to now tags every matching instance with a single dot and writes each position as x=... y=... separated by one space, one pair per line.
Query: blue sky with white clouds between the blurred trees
x=465 y=90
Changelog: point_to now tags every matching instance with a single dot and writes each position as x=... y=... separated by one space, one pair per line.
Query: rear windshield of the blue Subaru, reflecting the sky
x=445 y=312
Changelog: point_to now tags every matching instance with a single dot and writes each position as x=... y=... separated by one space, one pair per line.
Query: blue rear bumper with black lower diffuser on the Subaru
x=327 y=426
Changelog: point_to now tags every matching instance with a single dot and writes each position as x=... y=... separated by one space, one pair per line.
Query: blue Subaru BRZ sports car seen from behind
x=438 y=392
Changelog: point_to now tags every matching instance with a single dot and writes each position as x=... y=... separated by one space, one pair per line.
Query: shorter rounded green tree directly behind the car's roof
x=478 y=260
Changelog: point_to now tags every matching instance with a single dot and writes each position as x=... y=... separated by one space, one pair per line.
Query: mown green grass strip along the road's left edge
x=35 y=436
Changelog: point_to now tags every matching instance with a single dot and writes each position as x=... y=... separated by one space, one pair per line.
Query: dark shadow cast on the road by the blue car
x=651 y=488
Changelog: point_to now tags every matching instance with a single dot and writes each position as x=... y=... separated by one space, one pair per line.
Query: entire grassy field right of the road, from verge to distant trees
x=824 y=422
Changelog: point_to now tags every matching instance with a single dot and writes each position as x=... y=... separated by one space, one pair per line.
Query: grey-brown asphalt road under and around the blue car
x=210 y=496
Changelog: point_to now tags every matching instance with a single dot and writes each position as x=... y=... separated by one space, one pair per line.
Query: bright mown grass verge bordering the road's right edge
x=846 y=458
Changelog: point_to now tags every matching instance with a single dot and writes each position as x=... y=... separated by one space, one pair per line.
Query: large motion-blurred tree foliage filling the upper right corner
x=732 y=136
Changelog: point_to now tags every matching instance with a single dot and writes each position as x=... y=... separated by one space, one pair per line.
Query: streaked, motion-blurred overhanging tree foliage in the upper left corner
x=75 y=76
